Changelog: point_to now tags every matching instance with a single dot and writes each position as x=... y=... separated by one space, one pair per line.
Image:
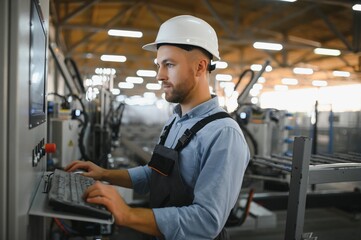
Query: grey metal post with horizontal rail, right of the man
x=303 y=174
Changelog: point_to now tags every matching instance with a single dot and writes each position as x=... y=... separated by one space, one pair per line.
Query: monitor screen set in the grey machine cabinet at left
x=38 y=63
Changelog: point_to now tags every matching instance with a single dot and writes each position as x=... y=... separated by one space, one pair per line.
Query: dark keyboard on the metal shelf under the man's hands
x=66 y=193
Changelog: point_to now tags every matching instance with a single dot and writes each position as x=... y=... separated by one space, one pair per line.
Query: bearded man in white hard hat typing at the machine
x=193 y=187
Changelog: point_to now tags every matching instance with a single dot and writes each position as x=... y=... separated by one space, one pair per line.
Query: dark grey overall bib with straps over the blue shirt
x=166 y=185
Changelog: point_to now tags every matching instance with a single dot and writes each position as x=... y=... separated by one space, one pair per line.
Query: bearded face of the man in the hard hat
x=176 y=72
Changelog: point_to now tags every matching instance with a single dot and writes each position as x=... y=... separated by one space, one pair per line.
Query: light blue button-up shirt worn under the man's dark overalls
x=212 y=164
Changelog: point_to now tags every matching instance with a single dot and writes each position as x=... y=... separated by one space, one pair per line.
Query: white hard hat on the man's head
x=188 y=30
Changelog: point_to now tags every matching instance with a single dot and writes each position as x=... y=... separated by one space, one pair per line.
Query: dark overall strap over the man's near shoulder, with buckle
x=188 y=134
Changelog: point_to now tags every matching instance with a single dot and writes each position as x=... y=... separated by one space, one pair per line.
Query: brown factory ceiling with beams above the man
x=81 y=32
